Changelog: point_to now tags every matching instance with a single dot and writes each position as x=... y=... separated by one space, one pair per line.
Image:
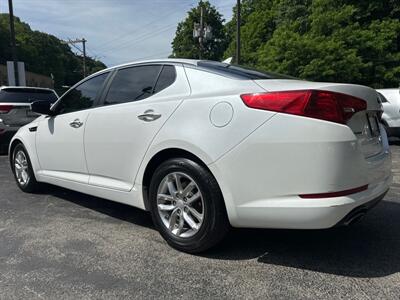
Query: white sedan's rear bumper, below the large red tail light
x=262 y=177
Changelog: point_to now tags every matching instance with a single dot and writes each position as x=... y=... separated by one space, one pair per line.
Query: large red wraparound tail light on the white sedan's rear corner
x=323 y=105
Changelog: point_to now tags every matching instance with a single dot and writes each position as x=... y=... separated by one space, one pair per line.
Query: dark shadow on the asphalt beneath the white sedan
x=370 y=248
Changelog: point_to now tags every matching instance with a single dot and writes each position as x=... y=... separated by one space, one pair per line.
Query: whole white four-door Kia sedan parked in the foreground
x=205 y=145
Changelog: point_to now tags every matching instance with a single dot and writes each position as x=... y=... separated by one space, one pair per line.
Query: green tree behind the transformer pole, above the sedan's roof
x=185 y=45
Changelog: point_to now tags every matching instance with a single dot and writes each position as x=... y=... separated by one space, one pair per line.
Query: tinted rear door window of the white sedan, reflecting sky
x=132 y=84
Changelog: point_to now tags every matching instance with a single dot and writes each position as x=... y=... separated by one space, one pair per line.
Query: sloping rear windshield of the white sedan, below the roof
x=239 y=72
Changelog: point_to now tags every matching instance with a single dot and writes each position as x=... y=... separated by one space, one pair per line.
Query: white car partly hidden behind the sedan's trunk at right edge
x=390 y=99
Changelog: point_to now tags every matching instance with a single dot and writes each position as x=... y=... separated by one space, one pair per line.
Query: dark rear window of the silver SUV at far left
x=25 y=95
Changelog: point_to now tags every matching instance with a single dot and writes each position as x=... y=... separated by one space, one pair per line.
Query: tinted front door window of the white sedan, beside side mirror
x=83 y=96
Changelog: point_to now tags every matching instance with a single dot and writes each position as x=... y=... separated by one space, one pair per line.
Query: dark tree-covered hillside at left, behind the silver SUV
x=43 y=53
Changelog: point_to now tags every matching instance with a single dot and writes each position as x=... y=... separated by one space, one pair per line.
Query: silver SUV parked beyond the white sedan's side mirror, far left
x=15 y=108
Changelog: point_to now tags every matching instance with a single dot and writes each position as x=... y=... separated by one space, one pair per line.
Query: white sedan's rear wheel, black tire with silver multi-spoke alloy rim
x=197 y=203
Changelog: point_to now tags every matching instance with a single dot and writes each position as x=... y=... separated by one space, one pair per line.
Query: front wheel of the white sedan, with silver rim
x=20 y=162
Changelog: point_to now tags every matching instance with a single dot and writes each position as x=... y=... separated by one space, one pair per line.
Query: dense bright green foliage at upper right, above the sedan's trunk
x=325 y=40
